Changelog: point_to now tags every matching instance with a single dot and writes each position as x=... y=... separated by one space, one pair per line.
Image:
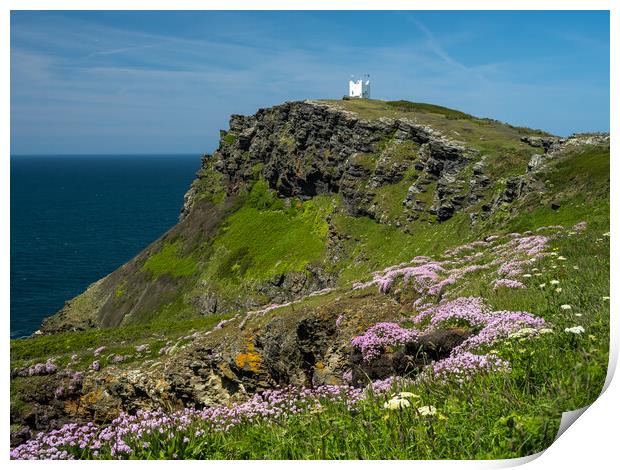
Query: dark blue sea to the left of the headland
x=76 y=219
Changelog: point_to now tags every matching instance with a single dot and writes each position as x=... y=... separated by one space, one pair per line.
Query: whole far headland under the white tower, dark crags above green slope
x=283 y=206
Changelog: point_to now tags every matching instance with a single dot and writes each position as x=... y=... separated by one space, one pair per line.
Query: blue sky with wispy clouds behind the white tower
x=166 y=82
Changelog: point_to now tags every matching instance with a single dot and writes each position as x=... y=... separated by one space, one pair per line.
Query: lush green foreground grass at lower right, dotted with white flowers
x=491 y=416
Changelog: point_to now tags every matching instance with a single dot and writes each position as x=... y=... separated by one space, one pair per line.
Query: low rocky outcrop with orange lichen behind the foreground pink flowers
x=302 y=346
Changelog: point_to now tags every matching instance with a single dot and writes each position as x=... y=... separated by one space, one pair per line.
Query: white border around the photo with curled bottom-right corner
x=590 y=443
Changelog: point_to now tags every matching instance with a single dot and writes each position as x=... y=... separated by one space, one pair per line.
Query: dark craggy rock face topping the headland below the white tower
x=303 y=149
